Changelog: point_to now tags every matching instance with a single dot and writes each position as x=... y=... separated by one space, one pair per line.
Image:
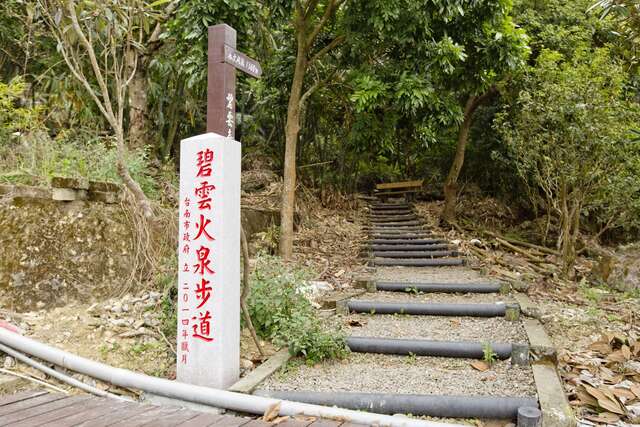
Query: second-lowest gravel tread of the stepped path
x=493 y=329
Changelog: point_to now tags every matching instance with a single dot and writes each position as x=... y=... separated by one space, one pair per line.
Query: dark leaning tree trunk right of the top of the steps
x=448 y=214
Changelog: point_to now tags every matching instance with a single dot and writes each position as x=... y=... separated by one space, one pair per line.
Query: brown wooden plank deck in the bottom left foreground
x=33 y=408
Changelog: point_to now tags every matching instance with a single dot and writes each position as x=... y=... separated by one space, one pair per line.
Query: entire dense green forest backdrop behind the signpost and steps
x=535 y=101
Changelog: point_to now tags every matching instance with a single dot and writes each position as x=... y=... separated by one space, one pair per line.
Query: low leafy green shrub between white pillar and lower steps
x=280 y=312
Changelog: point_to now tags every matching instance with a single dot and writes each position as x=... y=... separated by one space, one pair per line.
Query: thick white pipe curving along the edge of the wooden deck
x=203 y=395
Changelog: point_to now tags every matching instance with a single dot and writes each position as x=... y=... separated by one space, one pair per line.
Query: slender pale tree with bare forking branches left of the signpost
x=106 y=33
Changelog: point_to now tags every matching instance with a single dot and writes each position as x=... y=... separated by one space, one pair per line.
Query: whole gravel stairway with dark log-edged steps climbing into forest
x=416 y=331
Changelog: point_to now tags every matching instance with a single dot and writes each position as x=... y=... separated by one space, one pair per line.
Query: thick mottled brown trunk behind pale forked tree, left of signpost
x=138 y=114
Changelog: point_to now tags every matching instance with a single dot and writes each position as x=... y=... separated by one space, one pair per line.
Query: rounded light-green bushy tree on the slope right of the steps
x=569 y=135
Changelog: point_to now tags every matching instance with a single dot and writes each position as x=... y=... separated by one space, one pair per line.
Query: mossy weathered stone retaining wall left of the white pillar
x=68 y=242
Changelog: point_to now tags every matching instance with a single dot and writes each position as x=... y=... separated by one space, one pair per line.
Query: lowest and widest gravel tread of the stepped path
x=413 y=375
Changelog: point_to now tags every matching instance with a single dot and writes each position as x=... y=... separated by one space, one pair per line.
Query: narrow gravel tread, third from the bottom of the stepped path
x=429 y=297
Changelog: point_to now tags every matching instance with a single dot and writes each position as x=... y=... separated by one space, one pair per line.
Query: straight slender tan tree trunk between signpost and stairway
x=292 y=128
